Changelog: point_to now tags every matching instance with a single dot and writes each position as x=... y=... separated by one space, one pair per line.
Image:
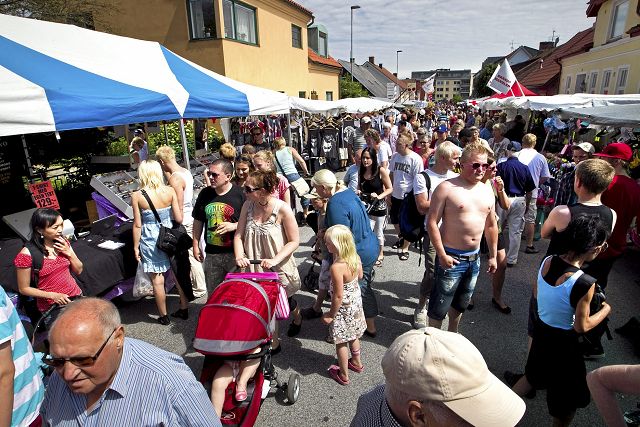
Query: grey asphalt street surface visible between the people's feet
x=501 y=338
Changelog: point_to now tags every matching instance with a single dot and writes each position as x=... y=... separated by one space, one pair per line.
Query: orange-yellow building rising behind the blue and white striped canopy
x=259 y=42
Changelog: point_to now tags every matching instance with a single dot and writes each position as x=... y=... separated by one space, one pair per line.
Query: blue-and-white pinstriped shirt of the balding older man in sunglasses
x=152 y=387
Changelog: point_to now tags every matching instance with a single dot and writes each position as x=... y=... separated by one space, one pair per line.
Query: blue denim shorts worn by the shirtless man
x=453 y=287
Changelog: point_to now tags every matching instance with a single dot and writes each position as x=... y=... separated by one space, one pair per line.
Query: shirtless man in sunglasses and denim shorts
x=466 y=208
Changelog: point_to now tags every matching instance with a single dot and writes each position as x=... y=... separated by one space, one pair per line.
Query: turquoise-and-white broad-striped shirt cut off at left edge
x=28 y=389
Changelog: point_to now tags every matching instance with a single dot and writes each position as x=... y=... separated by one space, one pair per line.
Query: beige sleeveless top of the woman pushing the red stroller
x=263 y=240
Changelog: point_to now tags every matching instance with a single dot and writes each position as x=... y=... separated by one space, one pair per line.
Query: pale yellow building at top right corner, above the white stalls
x=612 y=65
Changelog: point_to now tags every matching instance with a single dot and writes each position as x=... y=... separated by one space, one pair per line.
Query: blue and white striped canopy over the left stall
x=61 y=77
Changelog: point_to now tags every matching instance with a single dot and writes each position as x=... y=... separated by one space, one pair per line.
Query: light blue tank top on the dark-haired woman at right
x=554 y=302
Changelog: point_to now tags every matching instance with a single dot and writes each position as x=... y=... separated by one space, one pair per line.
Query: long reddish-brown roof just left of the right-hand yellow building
x=534 y=76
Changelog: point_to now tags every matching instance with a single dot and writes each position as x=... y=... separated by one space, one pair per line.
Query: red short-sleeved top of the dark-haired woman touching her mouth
x=55 y=276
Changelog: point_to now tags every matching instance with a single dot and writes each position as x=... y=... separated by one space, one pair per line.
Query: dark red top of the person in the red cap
x=623 y=196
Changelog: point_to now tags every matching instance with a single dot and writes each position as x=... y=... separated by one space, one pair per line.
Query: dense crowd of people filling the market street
x=470 y=194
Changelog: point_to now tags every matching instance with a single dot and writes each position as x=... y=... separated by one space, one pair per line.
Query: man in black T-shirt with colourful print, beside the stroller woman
x=217 y=211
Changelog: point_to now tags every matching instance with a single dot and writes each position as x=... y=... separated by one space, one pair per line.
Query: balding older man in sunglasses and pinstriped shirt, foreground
x=103 y=378
